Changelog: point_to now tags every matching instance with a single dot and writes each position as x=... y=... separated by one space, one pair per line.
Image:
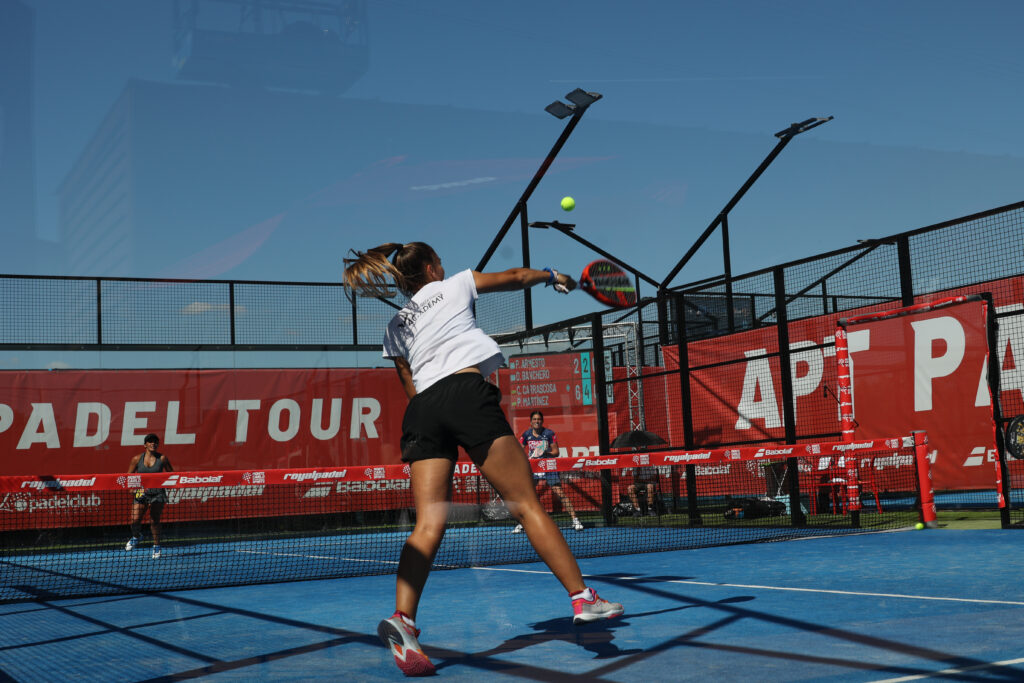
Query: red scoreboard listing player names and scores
x=551 y=381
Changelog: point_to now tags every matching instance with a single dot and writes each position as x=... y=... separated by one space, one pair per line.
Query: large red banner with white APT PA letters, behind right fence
x=742 y=402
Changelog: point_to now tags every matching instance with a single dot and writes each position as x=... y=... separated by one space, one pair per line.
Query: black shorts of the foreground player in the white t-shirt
x=460 y=410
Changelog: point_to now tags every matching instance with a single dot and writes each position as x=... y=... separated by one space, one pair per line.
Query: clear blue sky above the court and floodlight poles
x=927 y=100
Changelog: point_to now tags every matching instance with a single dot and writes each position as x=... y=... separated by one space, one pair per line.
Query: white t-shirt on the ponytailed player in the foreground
x=437 y=332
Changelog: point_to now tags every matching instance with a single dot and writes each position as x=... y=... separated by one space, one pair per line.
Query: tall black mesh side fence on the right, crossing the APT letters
x=779 y=325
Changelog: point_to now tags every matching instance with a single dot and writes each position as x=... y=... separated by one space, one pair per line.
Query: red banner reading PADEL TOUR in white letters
x=95 y=421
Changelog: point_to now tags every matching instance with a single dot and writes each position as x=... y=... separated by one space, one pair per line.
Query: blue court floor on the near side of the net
x=893 y=607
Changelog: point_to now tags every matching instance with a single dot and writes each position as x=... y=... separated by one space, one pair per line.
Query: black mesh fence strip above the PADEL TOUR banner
x=126 y=314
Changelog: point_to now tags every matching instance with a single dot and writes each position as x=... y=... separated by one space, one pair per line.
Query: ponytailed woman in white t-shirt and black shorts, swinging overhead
x=443 y=359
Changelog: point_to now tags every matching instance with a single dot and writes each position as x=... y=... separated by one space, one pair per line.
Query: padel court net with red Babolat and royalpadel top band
x=67 y=536
